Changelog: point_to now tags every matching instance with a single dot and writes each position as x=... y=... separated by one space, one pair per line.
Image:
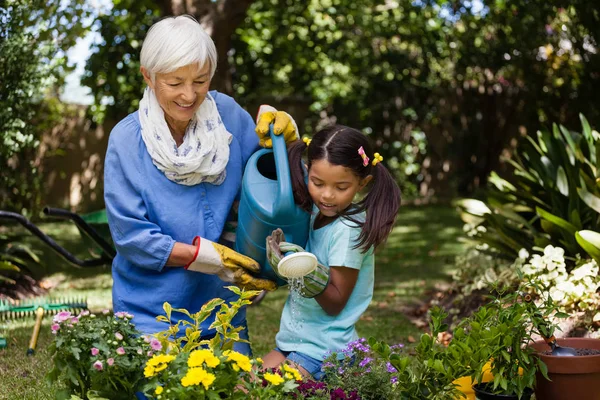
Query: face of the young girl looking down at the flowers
x=333 y=187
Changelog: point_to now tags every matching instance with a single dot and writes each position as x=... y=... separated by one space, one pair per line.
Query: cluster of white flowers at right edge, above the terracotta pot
x=575 y=290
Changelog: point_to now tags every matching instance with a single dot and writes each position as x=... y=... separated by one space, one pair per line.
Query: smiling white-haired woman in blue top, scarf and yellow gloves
x=173 y=170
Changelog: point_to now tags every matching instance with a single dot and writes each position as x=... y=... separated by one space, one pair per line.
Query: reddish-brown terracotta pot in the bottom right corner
x=571 y=377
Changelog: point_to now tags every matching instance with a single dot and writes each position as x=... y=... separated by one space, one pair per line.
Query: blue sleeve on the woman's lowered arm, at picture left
x=138 y=240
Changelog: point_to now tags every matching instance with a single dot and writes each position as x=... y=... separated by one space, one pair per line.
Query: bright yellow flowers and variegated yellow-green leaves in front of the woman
x=191 y=368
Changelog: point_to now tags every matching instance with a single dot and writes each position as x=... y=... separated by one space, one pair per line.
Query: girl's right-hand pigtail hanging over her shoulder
x=381 y=204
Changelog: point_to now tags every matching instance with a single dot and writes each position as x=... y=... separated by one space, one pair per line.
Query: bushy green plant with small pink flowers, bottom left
x=97 y=356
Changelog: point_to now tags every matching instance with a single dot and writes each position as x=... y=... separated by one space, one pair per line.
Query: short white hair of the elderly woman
x=176 y=42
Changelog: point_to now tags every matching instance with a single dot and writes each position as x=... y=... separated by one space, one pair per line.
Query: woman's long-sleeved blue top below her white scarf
x=147 y=214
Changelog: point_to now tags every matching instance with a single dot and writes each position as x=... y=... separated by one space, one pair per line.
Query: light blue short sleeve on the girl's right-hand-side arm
x=341 y=248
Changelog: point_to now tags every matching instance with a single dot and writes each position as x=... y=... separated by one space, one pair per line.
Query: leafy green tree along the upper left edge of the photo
x=34 y=37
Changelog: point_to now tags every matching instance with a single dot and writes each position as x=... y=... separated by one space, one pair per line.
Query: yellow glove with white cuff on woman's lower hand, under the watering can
x=229 y=265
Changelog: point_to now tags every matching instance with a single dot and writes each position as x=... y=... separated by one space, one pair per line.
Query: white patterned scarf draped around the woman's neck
x=204 y=153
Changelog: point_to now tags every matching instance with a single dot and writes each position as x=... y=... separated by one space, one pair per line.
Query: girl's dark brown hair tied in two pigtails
x=339 y=145
